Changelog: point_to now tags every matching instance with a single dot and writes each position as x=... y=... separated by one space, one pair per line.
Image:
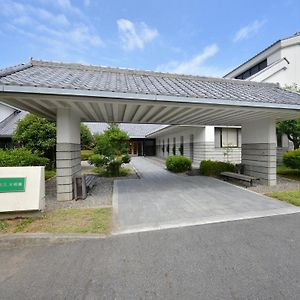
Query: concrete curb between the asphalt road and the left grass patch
x=29 y=239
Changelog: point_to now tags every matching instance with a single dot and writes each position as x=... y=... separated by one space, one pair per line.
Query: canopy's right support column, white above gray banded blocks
x=259 y=150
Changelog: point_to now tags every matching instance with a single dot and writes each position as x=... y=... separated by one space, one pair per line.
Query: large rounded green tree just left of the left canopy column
x=36 y=134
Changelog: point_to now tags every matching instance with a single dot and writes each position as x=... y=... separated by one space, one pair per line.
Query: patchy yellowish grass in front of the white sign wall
x=87 y=220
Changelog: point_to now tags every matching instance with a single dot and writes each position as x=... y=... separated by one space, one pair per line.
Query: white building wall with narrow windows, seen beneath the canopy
x=204 y=145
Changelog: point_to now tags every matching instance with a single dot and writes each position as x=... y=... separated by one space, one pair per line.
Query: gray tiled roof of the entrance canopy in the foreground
x=83 y=77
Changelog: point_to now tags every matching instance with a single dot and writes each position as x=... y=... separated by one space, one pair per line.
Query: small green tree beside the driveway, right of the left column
x=111 y=150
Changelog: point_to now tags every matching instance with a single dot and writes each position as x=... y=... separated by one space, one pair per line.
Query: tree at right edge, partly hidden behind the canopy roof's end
x=291 y=127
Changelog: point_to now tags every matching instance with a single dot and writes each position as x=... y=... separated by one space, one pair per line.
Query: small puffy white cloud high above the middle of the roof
x=135 y=36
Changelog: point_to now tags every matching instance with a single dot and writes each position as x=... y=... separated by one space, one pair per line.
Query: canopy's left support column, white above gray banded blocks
x=68 y=162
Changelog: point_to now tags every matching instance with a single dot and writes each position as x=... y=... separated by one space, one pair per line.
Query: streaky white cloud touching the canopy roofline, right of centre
x=195 y=65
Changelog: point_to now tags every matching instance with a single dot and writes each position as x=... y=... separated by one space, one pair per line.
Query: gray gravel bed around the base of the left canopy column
x=99 y=196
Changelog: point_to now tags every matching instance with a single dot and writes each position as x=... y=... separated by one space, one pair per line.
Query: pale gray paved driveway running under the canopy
x=161 y=199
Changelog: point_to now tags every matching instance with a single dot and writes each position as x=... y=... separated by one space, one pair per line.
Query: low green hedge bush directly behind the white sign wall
x=21 y=157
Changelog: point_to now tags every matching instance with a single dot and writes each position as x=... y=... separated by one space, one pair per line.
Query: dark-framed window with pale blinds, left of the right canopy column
x=227 y=137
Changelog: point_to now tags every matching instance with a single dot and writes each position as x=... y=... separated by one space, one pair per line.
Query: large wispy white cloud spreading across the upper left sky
x=53 y=33
